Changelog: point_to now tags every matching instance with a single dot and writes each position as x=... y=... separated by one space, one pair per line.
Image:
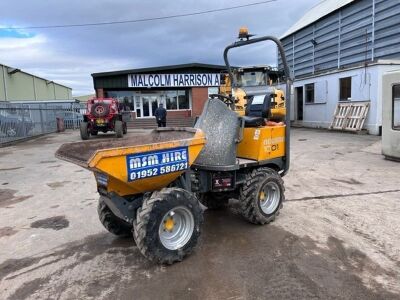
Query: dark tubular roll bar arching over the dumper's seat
x=242 y=43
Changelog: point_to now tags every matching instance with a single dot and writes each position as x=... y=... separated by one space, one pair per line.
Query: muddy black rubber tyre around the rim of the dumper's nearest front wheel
x=143 y=220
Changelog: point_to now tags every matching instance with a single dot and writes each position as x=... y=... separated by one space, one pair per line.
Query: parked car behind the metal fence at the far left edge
x=15 y=125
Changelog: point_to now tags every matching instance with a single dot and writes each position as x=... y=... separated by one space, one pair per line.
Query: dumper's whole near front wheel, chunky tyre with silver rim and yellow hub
x=167 y=226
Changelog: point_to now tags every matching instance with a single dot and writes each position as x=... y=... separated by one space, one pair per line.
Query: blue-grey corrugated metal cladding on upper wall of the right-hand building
x=362 y=31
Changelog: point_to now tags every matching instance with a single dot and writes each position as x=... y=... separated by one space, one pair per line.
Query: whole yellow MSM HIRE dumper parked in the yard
x=152 y=185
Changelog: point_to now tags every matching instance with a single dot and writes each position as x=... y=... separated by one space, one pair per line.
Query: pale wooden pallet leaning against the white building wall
x=350 y=116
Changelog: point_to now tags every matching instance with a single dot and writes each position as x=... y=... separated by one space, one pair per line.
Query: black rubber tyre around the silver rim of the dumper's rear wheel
x=248 y=191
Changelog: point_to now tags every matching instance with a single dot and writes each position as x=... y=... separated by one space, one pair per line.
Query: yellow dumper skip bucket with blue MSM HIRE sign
x=140 y=163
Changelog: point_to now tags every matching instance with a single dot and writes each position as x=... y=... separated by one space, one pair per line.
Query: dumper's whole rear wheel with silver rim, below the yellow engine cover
x=261 y=196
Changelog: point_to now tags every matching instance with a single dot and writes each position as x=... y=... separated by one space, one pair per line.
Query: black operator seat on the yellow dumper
x=257 y=110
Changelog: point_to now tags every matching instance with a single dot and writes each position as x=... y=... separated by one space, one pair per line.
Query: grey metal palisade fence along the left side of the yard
x=23 y=120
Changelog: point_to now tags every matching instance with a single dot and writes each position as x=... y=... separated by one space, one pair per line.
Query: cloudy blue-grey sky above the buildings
x=70 y=55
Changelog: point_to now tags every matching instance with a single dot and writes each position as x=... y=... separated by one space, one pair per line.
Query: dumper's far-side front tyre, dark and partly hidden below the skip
x=112 y=223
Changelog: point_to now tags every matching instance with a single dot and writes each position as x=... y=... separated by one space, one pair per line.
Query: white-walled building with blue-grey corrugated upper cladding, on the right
x=339 y=51
